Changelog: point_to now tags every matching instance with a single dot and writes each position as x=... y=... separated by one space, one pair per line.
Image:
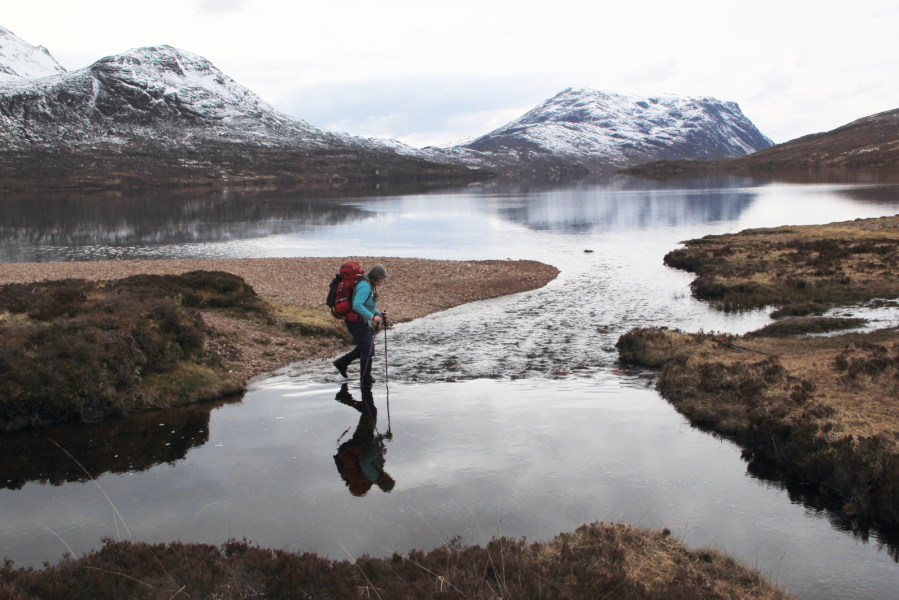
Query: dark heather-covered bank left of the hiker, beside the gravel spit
x=76 y=350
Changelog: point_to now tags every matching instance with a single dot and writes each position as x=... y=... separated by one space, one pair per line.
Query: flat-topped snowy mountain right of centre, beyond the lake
x=596 y=128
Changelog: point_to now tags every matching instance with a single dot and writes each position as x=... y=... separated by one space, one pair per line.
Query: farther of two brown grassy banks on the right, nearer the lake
x=801 y=268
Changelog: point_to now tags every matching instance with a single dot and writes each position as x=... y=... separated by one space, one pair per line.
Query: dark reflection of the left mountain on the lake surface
x=35 y=230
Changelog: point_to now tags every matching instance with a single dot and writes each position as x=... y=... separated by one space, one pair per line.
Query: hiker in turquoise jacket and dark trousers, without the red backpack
x=365 y=305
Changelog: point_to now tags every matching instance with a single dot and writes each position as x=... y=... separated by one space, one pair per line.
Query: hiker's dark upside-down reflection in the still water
x=360 y=460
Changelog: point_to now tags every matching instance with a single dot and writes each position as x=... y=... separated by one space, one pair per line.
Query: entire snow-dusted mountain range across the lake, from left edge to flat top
x=193 y=121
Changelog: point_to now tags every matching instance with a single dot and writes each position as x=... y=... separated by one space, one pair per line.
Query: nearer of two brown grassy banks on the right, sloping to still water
x=823 y=409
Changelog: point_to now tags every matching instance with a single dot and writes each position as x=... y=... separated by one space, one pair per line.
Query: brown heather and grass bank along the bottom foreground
x=595 y=561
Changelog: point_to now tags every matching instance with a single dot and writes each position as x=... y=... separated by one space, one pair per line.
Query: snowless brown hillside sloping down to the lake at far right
x=868 y=143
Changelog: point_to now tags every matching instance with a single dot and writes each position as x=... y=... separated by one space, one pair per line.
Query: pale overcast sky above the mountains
x=429 y=72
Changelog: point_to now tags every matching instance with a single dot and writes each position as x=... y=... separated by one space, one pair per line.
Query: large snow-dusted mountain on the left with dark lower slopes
x=163 y=116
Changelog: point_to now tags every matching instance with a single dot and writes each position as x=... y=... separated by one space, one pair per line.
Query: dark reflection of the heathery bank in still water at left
x=135 y=443
